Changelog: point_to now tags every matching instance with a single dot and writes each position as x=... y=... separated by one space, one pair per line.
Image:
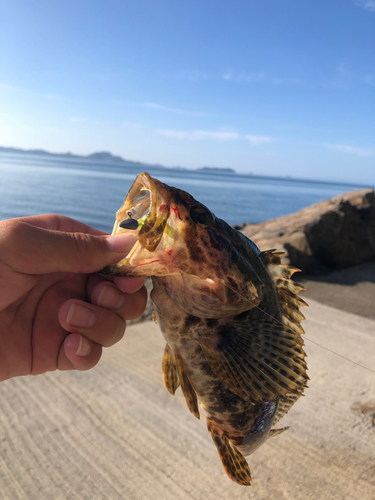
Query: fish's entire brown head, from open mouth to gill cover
x=208 y=268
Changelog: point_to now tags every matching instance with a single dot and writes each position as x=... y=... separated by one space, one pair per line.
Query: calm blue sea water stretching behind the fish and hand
x=92 y=191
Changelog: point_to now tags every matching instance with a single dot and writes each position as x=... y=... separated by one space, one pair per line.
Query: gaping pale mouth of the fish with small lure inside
x=144 y=212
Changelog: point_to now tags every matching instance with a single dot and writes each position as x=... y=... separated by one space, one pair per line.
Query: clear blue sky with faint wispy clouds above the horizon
x=270 y=87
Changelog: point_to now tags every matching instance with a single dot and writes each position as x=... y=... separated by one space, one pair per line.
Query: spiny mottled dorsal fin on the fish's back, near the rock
x=286 y=288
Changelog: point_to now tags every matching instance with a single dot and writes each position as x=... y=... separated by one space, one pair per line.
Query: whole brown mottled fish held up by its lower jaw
x=229 y=314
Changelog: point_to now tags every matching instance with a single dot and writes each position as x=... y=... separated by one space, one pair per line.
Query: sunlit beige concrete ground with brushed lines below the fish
x=115 y=433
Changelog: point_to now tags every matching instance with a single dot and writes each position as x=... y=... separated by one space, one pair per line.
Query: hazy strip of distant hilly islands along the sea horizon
x=104 y=157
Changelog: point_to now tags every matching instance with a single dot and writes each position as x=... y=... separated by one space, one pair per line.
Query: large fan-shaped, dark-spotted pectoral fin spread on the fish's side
x=259 y=360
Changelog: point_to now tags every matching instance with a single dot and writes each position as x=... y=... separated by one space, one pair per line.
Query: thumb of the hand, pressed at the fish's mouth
x=35 y=250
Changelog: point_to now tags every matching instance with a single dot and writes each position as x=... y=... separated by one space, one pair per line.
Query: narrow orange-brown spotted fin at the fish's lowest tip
x=234 y=463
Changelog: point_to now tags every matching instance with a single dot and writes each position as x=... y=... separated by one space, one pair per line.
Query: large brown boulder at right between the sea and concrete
x=332 y=234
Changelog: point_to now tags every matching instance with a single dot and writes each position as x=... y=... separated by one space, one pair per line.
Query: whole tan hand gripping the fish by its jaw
x=56 y=312
